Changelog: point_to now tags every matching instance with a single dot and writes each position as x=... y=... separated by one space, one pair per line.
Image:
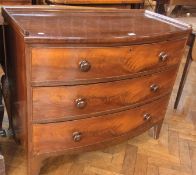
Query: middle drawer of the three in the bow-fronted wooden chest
x=73 y=102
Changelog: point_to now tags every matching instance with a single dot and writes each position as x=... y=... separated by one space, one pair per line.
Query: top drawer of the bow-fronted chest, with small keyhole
x=73 y=65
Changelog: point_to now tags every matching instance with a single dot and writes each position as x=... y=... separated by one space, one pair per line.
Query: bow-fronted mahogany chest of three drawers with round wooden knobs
x=83 y=79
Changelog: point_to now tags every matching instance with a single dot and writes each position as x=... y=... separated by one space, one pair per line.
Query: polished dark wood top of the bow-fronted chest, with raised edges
x=91 y=25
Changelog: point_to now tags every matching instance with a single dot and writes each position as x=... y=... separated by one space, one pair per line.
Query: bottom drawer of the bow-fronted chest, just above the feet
x=52 y=137
